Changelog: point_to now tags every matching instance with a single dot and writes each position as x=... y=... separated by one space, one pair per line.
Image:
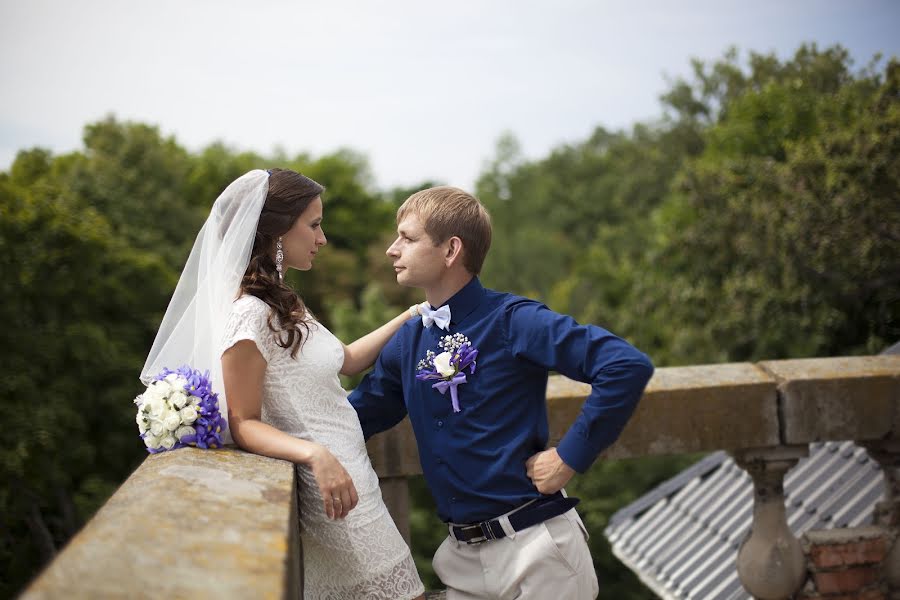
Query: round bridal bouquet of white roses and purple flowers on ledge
x=180 y=409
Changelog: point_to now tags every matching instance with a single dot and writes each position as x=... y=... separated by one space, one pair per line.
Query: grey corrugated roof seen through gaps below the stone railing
x=682 y=537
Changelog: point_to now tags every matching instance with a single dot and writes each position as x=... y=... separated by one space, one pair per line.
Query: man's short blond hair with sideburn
x=448 y=211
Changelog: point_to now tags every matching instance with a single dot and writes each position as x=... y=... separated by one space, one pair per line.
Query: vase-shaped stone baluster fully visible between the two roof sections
x=771 y=565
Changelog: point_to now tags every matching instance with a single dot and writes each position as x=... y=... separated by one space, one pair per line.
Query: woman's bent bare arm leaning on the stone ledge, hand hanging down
x=243 y=371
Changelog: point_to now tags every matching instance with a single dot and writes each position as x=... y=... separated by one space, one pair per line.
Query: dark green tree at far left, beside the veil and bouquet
x=80 y=309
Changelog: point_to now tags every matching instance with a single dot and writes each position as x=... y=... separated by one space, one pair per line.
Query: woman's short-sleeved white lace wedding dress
x=362 y=556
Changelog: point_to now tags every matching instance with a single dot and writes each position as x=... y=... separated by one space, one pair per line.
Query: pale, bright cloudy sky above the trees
x=422 y=88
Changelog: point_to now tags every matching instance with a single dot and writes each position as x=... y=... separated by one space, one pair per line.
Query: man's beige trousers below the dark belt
x=548 y=560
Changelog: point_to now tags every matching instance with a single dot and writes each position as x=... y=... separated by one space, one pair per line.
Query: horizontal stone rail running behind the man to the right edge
x=722 y=407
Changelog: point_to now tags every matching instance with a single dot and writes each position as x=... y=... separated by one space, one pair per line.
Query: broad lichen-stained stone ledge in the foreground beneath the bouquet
x=187 y=523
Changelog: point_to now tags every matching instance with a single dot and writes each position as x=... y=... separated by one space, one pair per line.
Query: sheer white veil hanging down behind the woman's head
x=192 y=328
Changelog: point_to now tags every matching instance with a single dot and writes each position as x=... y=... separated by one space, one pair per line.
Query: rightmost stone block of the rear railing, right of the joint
x=843 y=398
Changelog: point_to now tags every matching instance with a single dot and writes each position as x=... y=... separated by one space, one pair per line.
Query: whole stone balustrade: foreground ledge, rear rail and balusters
x=196 y=521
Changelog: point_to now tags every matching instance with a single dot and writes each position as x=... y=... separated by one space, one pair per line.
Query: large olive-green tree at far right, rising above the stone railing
x=781 y=239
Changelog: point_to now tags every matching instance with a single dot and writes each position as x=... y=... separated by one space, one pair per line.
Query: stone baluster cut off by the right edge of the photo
x=887 y=512
